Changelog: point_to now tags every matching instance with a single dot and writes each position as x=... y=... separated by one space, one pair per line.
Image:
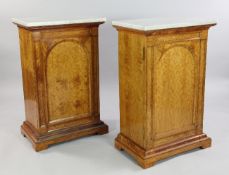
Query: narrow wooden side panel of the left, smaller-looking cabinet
x=29 y=77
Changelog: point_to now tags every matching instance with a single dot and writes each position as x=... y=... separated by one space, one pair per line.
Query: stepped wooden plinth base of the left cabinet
x=43 y=142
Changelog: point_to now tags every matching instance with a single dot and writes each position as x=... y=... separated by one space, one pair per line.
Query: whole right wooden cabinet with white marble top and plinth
x=161 y=82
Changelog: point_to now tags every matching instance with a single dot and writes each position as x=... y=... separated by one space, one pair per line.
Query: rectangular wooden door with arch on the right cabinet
x=175 y=82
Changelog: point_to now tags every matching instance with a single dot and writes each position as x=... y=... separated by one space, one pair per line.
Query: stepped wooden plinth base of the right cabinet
x=147 y=158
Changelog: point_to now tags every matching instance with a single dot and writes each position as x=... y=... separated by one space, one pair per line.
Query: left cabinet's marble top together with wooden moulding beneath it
x=38 y=23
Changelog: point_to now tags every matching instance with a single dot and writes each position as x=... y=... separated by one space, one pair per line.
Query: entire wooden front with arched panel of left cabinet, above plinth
x=68 y=77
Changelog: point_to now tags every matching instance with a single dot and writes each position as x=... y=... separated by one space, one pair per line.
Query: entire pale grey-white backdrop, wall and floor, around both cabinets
x=96 y=155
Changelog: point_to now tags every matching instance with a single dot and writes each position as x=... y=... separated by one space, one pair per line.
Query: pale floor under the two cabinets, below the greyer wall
x=96 y=154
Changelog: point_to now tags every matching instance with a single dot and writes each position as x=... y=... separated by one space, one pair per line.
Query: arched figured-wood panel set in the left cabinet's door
x=68 y=81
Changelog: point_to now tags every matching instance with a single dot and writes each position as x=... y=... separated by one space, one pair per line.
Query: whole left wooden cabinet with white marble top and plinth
x=60 y=67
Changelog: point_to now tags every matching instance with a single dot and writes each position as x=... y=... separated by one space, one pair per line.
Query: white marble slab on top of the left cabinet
x=35 y=22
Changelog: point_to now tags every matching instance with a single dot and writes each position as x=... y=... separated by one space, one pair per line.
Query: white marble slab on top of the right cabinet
x=160 y=23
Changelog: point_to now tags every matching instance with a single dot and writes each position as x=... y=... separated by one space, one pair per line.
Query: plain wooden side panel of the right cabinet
x=132 y=85
